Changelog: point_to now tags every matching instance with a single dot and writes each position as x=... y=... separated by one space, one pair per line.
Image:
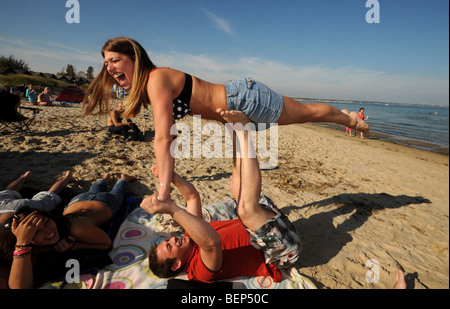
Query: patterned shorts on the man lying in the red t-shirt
x=277 y=238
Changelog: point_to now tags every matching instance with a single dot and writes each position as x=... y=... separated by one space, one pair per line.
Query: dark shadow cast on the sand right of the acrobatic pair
x=322 y=240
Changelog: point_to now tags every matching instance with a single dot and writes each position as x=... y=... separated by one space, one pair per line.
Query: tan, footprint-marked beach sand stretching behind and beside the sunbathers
x=356 y=203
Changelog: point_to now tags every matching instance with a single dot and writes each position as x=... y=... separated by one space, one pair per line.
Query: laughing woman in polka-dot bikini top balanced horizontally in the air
x=174 y=94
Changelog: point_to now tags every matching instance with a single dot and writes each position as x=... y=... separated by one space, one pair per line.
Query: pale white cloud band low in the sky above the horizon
x=294 y=81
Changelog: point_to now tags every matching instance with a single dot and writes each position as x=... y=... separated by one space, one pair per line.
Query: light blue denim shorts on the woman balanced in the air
x=259 y=103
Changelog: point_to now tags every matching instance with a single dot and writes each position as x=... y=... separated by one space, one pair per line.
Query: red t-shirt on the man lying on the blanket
x=240 y=258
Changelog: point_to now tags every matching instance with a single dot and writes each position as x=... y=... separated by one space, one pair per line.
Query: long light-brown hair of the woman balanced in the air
x=98 y=93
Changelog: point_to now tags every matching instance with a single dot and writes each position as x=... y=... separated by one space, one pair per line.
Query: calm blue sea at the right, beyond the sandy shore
x=424 y=127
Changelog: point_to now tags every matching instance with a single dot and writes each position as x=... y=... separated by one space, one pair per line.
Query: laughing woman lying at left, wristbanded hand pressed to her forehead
x=29 y=233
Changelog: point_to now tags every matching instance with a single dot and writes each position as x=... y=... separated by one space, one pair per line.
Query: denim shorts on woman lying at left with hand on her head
x=113 y=199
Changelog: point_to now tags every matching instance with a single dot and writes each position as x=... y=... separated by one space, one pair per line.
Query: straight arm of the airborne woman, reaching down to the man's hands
x=160 y=94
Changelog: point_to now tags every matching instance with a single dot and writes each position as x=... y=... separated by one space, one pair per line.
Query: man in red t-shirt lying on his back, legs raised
x=260 y=242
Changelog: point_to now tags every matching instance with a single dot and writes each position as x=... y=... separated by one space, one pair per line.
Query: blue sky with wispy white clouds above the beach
x=301 y=48
